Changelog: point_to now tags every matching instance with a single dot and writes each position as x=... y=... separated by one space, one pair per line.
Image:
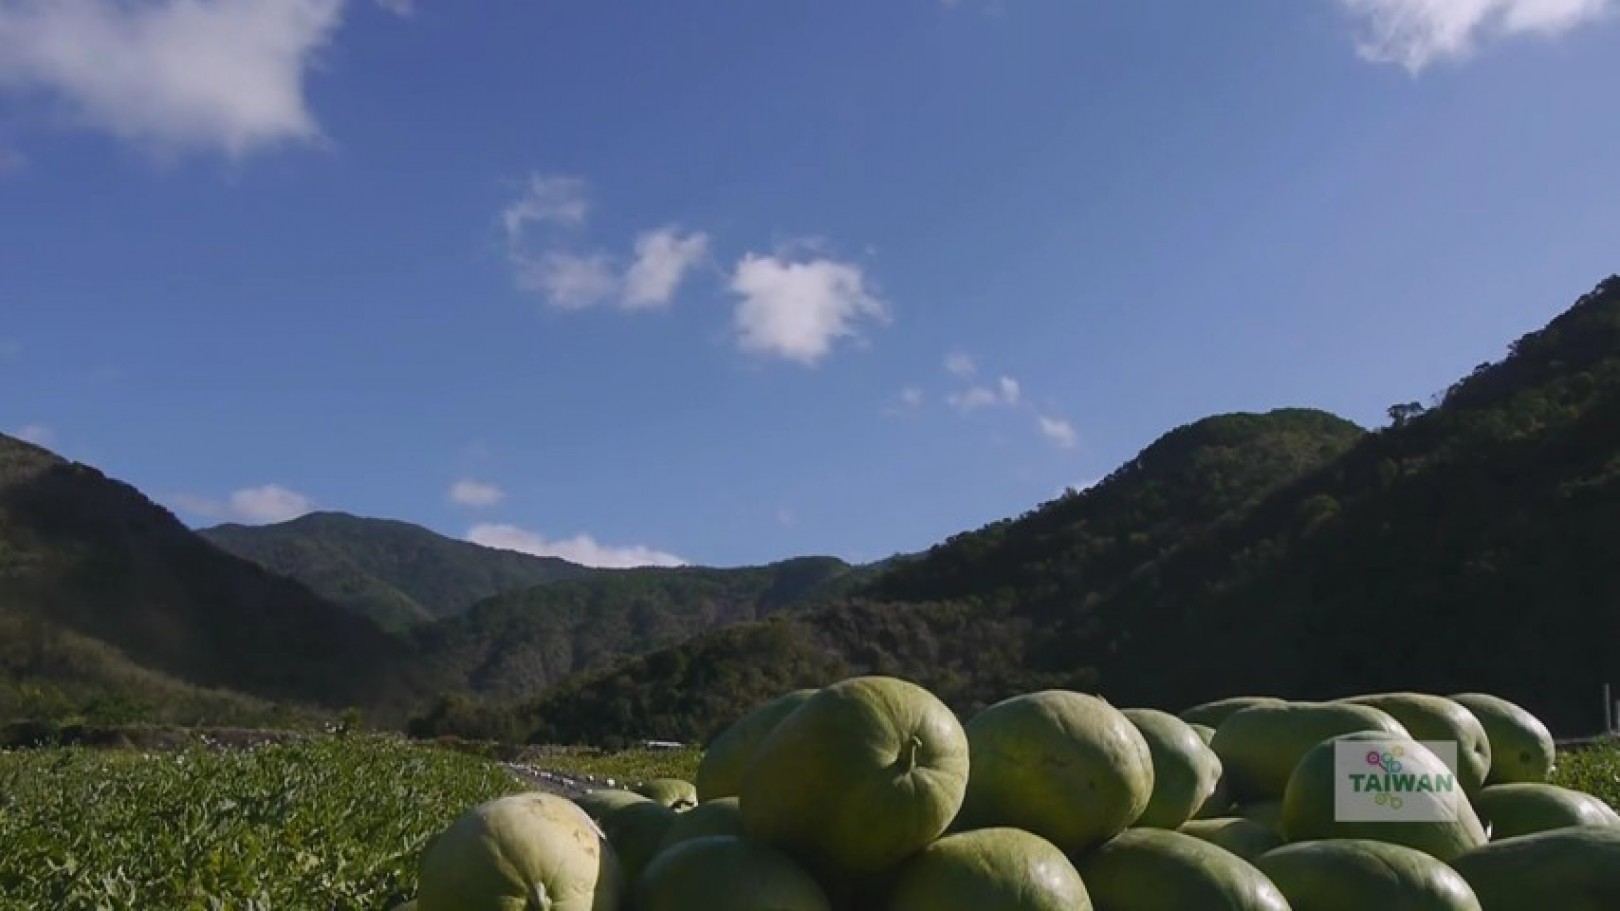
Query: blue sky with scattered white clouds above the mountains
x=727 y=283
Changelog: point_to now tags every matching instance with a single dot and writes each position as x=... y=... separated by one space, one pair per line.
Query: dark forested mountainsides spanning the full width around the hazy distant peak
x=1469 y=545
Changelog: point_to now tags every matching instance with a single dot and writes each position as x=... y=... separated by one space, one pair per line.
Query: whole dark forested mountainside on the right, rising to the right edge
x=1470 y=545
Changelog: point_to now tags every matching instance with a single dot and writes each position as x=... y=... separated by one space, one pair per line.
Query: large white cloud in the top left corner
x=173 y=75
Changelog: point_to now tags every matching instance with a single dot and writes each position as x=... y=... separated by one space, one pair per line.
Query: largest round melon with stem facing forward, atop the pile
x=864 y=774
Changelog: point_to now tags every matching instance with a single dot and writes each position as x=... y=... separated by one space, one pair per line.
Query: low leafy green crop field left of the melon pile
x=331 y=823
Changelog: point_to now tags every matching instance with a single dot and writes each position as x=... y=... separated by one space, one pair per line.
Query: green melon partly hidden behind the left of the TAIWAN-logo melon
x=1261 y=745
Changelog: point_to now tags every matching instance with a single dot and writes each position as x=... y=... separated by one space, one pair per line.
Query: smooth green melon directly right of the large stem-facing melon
x=1060 y=764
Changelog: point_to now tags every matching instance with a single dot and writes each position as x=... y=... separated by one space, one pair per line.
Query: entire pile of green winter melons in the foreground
x=874 y=795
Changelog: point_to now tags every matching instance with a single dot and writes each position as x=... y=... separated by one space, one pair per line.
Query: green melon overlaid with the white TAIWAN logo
x=1311 y=813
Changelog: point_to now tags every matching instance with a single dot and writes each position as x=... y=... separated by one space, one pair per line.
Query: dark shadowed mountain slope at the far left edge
x=109 y=602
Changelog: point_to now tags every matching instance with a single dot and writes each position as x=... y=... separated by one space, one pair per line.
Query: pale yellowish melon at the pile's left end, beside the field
x=521 y=853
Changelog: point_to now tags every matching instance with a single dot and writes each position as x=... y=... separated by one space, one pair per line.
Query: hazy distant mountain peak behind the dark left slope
x=394 y=573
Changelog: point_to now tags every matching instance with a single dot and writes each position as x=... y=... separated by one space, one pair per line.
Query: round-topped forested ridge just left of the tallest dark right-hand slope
x=973 y=617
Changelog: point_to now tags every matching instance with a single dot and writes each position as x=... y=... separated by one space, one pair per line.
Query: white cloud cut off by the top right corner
x=1418 y=33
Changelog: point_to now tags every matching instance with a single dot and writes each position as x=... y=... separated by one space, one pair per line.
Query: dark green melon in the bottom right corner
x=1564 y=870
